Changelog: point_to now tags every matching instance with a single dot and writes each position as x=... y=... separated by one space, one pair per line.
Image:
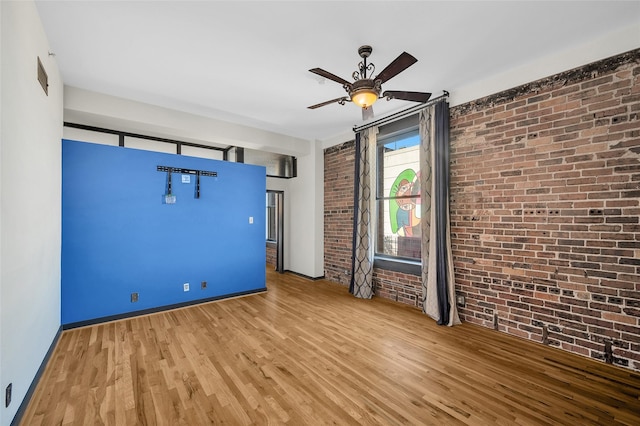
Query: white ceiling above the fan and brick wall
x=248 y=62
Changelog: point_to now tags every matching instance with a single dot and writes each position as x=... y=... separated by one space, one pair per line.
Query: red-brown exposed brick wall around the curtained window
x=545 y=208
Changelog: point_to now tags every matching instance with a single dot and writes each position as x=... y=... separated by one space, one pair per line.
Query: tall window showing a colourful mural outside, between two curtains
x=398 y=236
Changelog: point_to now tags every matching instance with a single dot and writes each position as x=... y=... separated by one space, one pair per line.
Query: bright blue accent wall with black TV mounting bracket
x=119 y=237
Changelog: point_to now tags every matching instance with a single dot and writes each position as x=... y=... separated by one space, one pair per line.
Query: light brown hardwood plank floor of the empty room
x=306 y=352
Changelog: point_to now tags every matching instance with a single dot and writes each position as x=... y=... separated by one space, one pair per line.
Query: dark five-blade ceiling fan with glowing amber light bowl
x=364 y=91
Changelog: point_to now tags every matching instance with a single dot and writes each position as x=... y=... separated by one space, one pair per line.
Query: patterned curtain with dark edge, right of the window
x=438 y=286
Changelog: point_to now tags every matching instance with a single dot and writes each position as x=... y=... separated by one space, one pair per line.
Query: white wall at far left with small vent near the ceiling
x=30 y=193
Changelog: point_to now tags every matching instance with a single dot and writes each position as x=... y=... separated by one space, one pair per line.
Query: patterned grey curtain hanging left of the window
x=362 y=257
